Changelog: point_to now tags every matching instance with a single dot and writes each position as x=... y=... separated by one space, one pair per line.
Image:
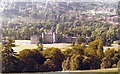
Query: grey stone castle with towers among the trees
x=51 y=37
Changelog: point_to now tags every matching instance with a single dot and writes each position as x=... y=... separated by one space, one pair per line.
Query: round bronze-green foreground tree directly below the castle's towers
x=54 y=58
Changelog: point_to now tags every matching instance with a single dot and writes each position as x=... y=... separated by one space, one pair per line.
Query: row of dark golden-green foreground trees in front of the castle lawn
x=79 y=57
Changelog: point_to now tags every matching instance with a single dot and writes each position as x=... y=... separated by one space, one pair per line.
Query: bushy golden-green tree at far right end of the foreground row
x=111 y=58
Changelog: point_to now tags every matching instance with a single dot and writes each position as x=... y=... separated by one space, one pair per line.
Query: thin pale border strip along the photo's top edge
x=58 y=0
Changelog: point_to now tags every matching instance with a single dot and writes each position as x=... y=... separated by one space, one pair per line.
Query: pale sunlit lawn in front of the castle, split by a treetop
x=25 y=44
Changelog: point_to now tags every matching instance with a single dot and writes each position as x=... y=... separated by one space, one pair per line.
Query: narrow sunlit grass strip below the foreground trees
x=99 y=71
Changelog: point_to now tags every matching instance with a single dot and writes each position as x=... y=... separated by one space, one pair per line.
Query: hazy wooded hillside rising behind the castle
x=22 y=20
